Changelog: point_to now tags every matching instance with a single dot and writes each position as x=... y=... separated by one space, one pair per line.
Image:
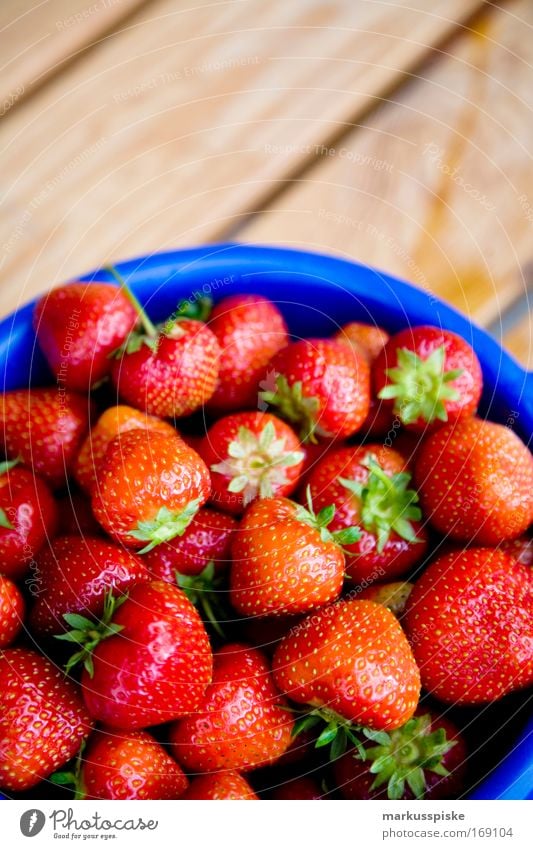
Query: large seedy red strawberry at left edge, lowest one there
x=42 y=719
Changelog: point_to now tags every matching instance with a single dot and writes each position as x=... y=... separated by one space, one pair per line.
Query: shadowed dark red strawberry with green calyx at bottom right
x=425 y=759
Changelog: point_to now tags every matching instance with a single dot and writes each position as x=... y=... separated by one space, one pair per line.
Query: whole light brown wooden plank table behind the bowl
x=397 y=132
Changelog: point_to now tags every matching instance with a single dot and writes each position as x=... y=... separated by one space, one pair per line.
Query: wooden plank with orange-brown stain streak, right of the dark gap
x=438 y=186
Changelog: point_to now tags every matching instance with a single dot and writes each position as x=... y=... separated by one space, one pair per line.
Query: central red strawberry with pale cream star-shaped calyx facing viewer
x=250 y=455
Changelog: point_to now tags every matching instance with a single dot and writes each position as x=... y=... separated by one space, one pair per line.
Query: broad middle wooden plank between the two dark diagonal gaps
x=168 y=132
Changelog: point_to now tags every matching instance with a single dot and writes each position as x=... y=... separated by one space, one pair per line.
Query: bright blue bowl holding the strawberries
x=316 y=294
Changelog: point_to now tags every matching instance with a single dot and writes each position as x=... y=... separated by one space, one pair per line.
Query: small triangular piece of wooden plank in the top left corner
x=37 y=37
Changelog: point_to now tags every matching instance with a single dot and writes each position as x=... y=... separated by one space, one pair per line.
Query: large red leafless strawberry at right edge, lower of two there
x=470 y=624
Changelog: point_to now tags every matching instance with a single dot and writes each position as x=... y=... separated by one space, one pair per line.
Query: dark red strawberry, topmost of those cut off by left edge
x=45 y=428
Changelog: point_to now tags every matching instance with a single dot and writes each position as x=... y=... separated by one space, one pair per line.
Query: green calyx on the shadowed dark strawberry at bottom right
x=401 y=757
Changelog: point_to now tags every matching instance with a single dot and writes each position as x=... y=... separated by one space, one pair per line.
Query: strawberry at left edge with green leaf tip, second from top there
x=28 y=516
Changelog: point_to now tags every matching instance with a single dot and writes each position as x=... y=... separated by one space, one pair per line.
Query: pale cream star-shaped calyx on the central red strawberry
x=257 y=463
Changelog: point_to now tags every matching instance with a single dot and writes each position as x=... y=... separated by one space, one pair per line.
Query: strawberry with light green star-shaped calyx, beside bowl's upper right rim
x=428 y=375
